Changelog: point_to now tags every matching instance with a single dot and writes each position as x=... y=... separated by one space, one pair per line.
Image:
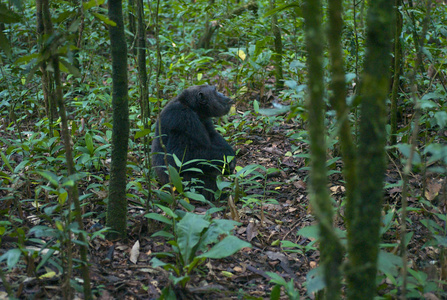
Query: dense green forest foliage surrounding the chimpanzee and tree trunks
x=229 y=44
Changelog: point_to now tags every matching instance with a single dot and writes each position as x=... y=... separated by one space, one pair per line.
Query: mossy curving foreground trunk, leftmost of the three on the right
x=331 y=251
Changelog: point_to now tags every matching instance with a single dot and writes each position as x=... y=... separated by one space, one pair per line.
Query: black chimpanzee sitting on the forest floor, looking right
x=187 y=131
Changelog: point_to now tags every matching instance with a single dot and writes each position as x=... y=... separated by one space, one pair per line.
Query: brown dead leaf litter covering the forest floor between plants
x=243 y=275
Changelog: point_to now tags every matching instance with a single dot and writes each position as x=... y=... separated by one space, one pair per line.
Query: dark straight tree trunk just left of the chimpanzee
x=117 y=204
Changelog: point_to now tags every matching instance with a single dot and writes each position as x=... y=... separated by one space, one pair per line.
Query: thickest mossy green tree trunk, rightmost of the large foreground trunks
x=363 y=236
